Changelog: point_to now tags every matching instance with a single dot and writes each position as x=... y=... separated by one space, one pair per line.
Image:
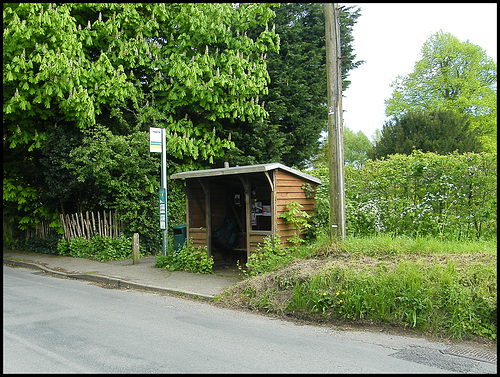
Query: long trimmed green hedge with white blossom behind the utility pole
x=450 y=197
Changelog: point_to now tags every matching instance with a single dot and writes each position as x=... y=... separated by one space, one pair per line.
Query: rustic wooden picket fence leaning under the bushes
x=78 y=225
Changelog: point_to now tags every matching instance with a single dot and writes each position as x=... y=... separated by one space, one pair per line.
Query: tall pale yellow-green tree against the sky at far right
x=451 y=75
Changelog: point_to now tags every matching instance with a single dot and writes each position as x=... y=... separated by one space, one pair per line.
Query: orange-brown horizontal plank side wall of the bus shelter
x=288 y=189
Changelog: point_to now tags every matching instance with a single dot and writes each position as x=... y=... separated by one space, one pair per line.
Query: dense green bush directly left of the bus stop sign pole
x=125 y=177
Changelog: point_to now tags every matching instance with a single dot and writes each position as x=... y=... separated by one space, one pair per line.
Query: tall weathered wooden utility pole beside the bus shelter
x=335 y=129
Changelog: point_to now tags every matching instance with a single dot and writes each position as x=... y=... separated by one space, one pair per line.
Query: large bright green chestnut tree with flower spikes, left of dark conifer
x=76 y=66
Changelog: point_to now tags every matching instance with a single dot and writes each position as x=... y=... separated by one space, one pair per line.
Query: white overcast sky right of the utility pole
x=389 y=38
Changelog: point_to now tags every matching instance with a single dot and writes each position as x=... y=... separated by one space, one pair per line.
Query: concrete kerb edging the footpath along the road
x=115 y=282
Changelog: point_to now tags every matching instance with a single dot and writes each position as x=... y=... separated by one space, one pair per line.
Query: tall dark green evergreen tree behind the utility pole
x=297 y=96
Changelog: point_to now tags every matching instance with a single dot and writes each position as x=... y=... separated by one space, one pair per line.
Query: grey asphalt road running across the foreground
x=55 y=325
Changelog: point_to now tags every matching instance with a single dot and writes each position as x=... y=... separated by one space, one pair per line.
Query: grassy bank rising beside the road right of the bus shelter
x=435 y=287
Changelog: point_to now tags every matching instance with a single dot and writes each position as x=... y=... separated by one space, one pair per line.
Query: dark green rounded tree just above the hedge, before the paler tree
x=440 y=131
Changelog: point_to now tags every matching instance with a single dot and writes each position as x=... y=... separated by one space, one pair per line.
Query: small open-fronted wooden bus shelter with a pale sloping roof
x=244 y=204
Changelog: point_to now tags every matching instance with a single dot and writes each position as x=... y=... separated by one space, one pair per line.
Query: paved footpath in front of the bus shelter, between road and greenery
x=124 y=273
